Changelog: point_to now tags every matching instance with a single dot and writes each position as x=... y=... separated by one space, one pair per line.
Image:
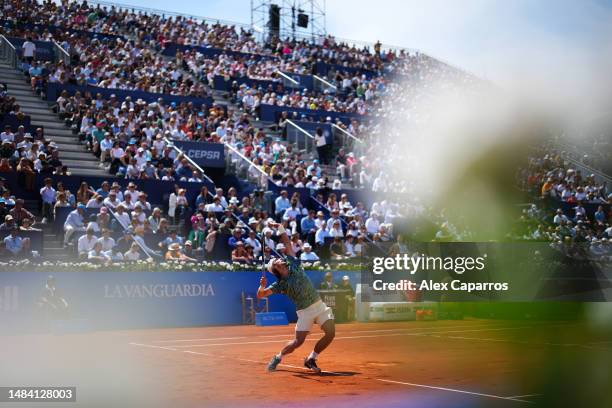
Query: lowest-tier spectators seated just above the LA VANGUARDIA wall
x=113 y=224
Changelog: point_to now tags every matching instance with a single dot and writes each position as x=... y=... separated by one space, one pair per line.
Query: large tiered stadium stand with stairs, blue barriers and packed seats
x=180 y=138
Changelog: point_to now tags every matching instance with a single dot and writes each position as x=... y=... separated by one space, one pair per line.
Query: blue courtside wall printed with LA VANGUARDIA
x=132 y=300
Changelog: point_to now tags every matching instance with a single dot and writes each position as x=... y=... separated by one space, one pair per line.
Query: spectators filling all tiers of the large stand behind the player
x=129 y=136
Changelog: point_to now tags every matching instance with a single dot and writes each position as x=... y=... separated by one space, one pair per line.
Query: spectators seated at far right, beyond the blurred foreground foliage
x=574 y=212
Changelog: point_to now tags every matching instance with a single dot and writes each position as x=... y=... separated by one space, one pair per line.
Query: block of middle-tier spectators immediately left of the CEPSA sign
x=131 y=137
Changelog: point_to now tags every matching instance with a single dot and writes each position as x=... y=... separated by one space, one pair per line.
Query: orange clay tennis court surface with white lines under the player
x=443 y=363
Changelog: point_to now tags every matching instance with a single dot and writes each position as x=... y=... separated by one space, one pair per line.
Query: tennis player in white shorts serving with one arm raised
x=293 y=282
